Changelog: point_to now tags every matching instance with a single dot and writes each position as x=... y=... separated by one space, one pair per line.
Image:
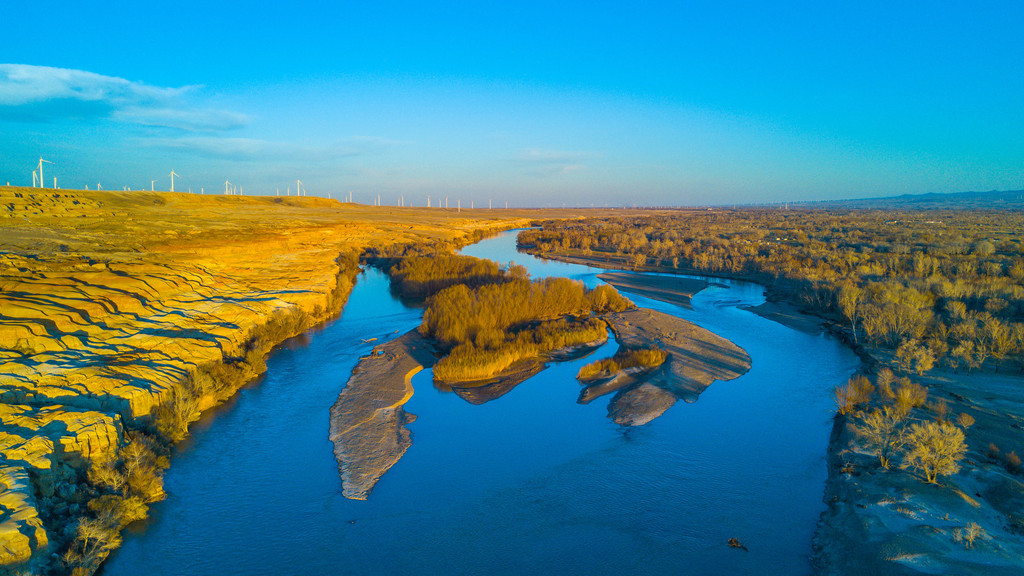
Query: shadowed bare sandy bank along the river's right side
x=889 y=522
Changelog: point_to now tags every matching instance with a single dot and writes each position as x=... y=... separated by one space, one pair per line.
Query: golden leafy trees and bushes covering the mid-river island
x=486 y=318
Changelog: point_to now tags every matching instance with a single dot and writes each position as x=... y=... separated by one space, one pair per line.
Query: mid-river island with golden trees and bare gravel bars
x=490 y=328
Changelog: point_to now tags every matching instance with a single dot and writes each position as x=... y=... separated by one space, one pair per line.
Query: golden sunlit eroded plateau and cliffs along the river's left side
x=125 y=315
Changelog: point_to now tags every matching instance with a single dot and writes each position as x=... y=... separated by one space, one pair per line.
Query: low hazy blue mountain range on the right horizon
x=995 y=200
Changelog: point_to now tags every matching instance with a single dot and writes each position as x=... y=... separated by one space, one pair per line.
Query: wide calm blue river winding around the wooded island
x=532 y=482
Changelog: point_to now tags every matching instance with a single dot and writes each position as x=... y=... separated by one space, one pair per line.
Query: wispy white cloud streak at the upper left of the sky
x=39 y=94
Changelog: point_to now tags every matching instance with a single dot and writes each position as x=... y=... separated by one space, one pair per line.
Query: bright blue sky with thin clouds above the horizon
x=538 y=104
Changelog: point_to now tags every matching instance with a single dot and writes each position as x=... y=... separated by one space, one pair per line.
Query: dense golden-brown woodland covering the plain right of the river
x=937 y=286
